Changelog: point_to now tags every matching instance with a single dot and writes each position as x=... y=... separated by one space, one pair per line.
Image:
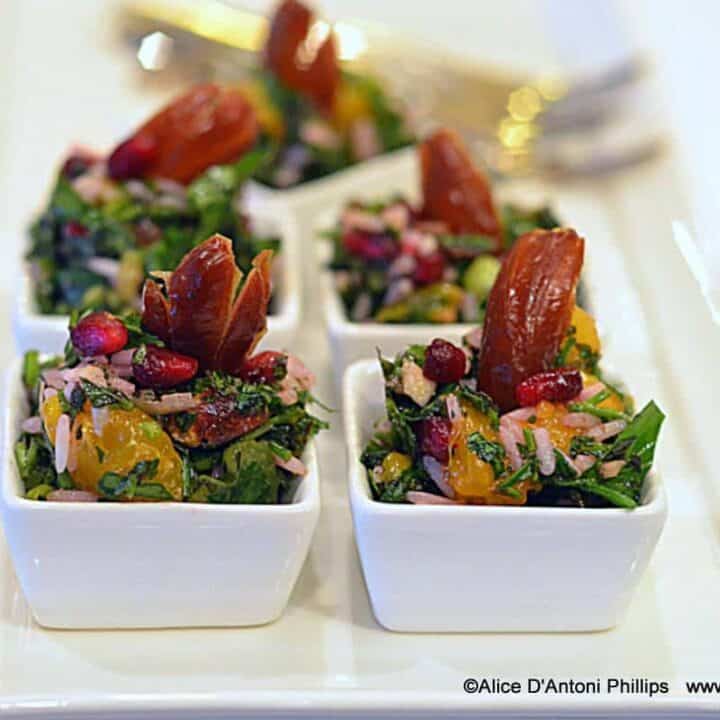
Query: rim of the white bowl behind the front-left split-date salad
x=289 y=290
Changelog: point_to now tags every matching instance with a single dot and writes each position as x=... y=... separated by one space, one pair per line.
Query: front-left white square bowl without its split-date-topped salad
x=152 y=565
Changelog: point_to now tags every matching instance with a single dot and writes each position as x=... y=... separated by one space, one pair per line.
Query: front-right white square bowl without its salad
x=491 y=569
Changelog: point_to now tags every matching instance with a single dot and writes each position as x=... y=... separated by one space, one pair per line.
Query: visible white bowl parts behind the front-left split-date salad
x=48 y=333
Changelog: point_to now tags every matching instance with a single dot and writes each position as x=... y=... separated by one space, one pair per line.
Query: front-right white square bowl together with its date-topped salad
x=510 y=464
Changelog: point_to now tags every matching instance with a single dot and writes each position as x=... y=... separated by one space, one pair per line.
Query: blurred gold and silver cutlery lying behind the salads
x=548 y=125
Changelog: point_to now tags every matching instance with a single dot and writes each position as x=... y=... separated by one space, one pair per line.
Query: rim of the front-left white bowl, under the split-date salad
x=306 y=498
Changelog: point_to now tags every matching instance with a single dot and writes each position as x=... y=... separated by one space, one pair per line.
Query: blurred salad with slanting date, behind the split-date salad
x=177 y=180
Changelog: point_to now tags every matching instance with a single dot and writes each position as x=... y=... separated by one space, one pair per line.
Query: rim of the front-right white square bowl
x=655 y=502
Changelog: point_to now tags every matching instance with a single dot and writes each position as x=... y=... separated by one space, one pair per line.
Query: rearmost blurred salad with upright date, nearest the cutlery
x=316 y=118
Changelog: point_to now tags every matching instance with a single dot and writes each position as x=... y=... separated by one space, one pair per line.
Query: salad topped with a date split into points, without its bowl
x=171 y=404
